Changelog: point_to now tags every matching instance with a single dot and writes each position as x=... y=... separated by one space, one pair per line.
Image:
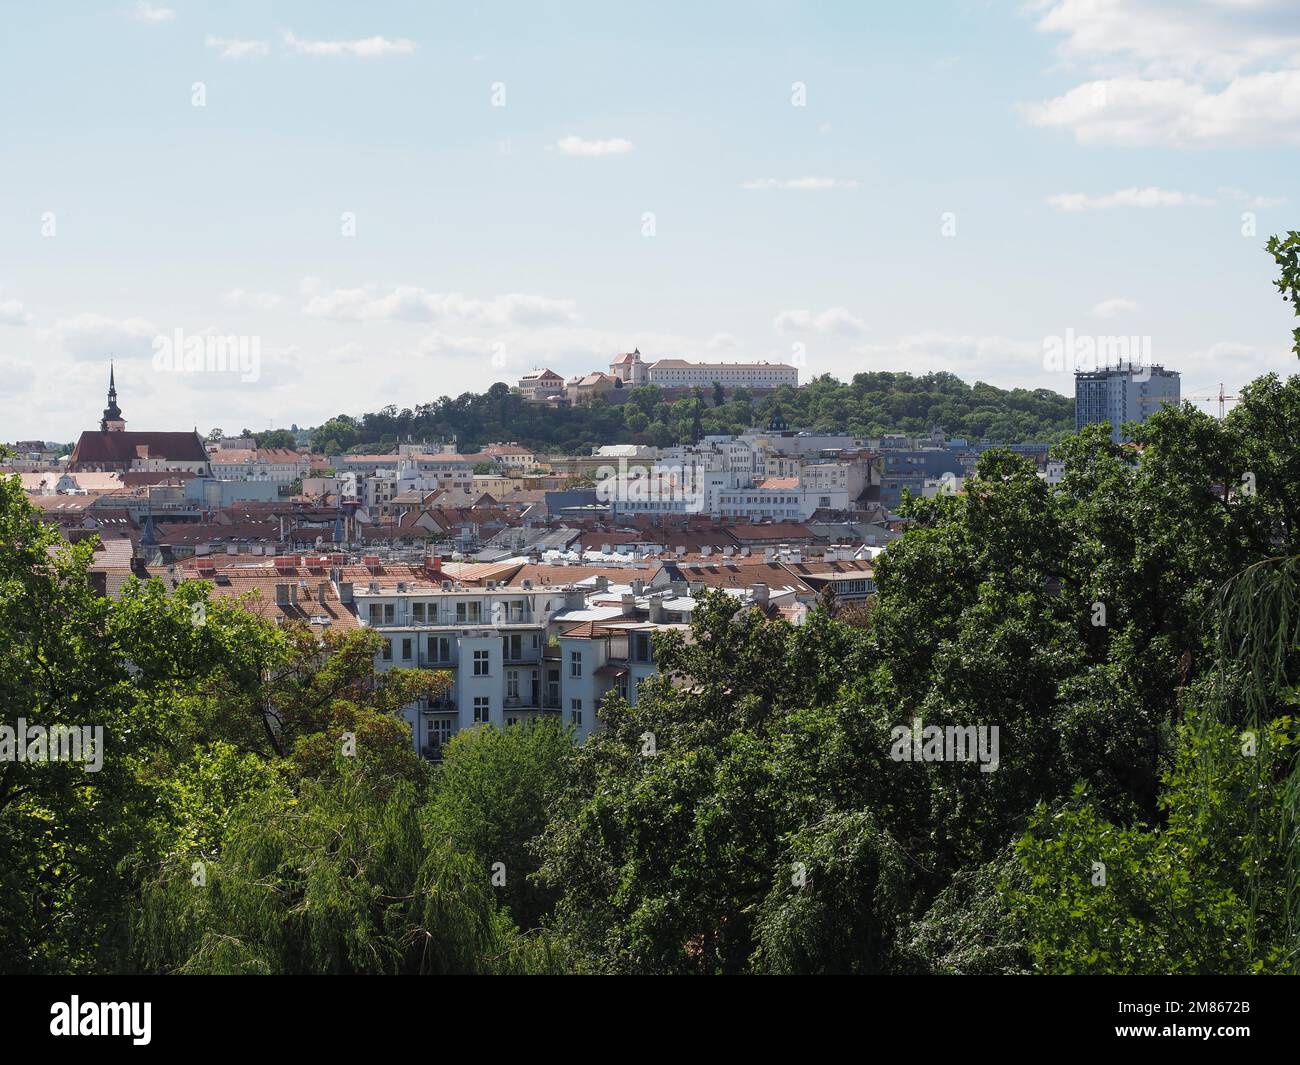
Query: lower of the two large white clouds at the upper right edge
x=1133 y=112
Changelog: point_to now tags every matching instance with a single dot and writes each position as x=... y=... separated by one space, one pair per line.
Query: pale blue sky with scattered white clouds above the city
x=1097 y=159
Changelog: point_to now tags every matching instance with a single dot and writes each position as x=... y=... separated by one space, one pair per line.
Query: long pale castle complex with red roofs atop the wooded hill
x=674 y=376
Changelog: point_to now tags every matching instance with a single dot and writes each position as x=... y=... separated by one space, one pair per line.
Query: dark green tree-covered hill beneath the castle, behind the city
x=869 y=405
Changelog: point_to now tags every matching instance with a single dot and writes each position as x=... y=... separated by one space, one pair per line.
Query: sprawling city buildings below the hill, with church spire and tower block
x=536 y=582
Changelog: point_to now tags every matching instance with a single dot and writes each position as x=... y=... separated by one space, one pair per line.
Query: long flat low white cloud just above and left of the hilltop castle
x=411 y=304
